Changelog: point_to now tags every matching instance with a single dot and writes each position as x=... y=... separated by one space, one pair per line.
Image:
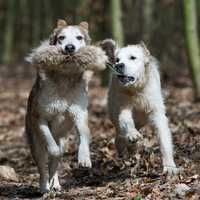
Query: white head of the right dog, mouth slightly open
x=130 y=63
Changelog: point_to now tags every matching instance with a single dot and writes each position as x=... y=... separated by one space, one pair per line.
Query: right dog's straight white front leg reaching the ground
x=161 y=124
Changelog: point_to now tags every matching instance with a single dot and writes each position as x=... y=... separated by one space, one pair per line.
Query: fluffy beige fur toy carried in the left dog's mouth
x=49 y=57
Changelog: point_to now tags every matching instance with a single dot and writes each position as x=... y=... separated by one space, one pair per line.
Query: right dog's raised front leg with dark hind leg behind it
x=126 y=131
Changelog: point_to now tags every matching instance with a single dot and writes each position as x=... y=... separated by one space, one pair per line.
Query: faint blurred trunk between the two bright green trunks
x=148 y=9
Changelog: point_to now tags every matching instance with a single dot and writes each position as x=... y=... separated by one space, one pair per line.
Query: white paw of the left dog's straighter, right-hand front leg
x=84 y=158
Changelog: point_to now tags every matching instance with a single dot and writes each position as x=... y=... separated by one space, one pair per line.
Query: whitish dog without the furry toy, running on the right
x=135 y=96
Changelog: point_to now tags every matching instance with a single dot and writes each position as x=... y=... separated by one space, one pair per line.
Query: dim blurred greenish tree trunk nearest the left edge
x=9 y=32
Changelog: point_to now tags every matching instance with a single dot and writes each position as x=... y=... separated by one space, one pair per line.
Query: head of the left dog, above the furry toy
x=70 y=38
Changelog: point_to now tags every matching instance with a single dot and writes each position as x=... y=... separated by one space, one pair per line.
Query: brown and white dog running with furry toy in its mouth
x=58 y=100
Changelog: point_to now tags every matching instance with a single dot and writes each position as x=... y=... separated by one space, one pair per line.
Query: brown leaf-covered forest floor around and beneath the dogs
x=138 y=176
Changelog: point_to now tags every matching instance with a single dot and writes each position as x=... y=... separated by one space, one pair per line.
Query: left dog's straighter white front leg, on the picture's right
x=81 y=124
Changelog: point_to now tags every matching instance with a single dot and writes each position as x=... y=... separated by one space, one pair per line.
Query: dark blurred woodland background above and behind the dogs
x=161 y=24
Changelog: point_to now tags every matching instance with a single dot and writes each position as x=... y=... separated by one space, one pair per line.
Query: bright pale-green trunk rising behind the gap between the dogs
x=116 y=21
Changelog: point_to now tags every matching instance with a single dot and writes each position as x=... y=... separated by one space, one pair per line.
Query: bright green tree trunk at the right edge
x=192 y=43
